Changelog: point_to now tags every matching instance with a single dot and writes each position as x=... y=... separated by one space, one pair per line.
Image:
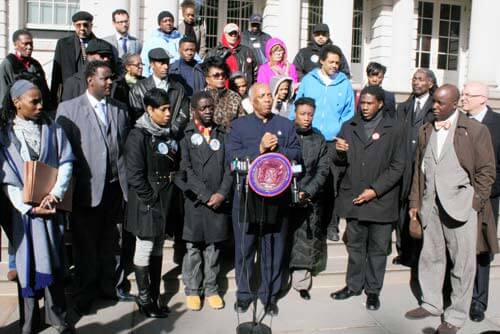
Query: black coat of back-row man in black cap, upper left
x=67 y=61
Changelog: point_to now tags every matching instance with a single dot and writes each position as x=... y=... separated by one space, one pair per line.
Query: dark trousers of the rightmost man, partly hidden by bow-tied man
x=482 y=280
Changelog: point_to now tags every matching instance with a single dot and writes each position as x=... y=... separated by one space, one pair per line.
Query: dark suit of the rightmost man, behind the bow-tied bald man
x=482 y=280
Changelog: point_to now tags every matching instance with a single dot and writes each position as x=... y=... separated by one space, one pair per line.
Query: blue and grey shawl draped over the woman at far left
x=37 y=240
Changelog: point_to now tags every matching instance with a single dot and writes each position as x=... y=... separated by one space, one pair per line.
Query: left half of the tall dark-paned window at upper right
x=424 y=34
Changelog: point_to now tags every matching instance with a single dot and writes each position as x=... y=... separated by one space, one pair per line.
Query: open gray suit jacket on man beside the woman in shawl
x=78 y=119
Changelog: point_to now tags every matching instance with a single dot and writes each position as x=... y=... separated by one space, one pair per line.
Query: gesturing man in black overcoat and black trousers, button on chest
x=369 y=148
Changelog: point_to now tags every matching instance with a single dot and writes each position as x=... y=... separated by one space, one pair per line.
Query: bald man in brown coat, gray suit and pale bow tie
x=454 y=172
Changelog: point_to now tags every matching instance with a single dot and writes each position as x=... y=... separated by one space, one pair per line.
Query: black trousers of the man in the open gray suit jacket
x=95 y=245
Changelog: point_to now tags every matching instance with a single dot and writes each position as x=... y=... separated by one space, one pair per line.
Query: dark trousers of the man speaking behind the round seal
x=271 y=259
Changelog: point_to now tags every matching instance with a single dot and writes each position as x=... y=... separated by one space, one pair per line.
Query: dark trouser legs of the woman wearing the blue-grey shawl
x=55 y=308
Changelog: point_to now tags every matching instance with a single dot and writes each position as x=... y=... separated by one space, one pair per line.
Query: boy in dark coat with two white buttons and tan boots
x=207 y=212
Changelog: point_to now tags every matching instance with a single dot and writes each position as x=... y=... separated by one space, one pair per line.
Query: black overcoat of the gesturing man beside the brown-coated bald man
x=378 y=163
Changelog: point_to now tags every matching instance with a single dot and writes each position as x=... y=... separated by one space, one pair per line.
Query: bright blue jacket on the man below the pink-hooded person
x=334 y=103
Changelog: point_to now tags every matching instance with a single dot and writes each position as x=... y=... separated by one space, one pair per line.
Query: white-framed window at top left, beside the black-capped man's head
x=54 y=13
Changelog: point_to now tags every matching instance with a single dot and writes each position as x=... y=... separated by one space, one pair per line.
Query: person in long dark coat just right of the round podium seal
x=308 y=255
